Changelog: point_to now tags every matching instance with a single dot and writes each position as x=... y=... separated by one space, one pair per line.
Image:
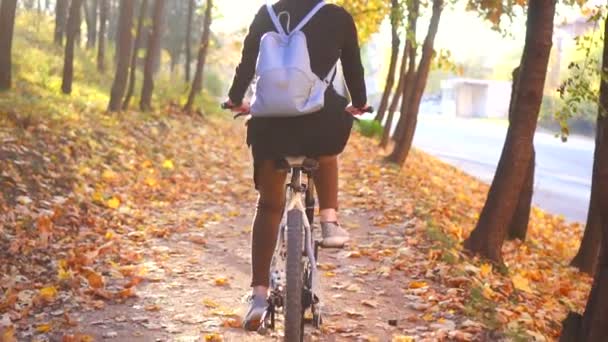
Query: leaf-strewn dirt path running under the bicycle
x=187 y=246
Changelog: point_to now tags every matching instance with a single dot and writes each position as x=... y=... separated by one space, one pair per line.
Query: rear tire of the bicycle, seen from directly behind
x=294 y=327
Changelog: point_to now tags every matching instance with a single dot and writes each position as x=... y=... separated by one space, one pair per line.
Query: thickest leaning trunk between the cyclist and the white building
x=411 y=107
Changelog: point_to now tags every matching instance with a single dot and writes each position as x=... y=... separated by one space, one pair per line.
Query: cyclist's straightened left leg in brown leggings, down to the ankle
x=271 y=200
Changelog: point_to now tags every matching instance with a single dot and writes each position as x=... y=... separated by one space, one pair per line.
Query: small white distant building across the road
x=472 y=98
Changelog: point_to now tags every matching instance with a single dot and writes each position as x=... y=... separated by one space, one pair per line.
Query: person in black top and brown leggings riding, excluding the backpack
x=331 y=36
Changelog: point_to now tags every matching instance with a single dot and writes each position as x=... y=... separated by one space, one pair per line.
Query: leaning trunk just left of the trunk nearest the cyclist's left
x=151 y=53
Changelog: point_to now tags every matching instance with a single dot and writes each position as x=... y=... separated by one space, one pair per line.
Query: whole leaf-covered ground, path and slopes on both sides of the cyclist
x=135 y=227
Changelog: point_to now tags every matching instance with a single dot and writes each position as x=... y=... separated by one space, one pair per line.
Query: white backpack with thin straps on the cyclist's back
x=285 y=84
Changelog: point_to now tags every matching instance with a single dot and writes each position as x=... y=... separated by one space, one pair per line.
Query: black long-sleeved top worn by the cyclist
x=331 y=35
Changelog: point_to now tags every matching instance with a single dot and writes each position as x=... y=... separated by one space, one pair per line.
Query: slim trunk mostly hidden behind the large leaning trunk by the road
x=518 y=228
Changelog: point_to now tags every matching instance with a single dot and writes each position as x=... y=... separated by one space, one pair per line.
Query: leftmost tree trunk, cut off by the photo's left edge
x=7 y=25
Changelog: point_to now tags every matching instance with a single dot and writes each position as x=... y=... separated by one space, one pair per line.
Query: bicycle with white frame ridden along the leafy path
x=294 y=280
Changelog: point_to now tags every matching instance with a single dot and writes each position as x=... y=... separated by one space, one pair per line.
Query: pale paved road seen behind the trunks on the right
x=563 y=170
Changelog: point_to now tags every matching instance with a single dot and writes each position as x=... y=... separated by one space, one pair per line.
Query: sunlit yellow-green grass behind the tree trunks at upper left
x=37 y=76
